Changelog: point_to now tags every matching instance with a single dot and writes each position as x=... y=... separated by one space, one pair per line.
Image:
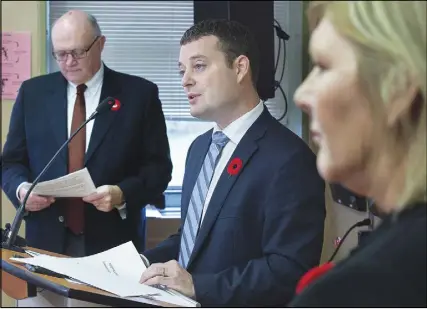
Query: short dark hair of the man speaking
x=234 y=39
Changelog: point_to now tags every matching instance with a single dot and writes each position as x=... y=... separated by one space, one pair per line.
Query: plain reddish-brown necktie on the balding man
x=74 y=215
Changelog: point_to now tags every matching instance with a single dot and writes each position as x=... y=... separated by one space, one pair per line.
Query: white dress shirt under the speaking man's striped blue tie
x=235 y=132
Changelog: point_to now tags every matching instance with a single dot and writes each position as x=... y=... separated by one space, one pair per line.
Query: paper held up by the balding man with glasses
x=77 y=184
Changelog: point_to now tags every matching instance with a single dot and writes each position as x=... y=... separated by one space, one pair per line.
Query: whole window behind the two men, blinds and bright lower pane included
x=143 y=39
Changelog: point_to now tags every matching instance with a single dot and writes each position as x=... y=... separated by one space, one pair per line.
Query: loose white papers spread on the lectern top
x=117 y=271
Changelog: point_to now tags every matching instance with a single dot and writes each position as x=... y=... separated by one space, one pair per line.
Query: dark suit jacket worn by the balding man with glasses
x=128 y=148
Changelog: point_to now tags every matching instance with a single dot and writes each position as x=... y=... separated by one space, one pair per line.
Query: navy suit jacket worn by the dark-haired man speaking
x=263 y=227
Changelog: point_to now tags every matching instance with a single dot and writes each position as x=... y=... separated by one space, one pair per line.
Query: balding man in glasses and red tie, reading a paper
x=125 y=151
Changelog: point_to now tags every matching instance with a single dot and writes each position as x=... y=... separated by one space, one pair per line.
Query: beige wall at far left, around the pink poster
x=21 y=16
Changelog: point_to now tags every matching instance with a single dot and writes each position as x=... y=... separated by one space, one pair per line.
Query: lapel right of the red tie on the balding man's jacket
x=103 y=121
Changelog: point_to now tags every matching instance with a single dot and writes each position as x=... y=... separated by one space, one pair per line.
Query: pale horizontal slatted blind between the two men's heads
x=143 y=40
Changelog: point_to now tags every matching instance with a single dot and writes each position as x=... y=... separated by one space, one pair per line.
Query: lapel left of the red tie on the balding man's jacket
x=57 y=112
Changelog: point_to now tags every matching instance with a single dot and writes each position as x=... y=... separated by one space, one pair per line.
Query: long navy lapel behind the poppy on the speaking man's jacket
x=244 y=150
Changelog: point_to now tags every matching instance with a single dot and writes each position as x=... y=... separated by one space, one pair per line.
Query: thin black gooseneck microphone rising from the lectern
x=9 y=235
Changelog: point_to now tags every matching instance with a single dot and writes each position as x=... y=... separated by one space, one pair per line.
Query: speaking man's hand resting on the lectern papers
x=172 y=275
